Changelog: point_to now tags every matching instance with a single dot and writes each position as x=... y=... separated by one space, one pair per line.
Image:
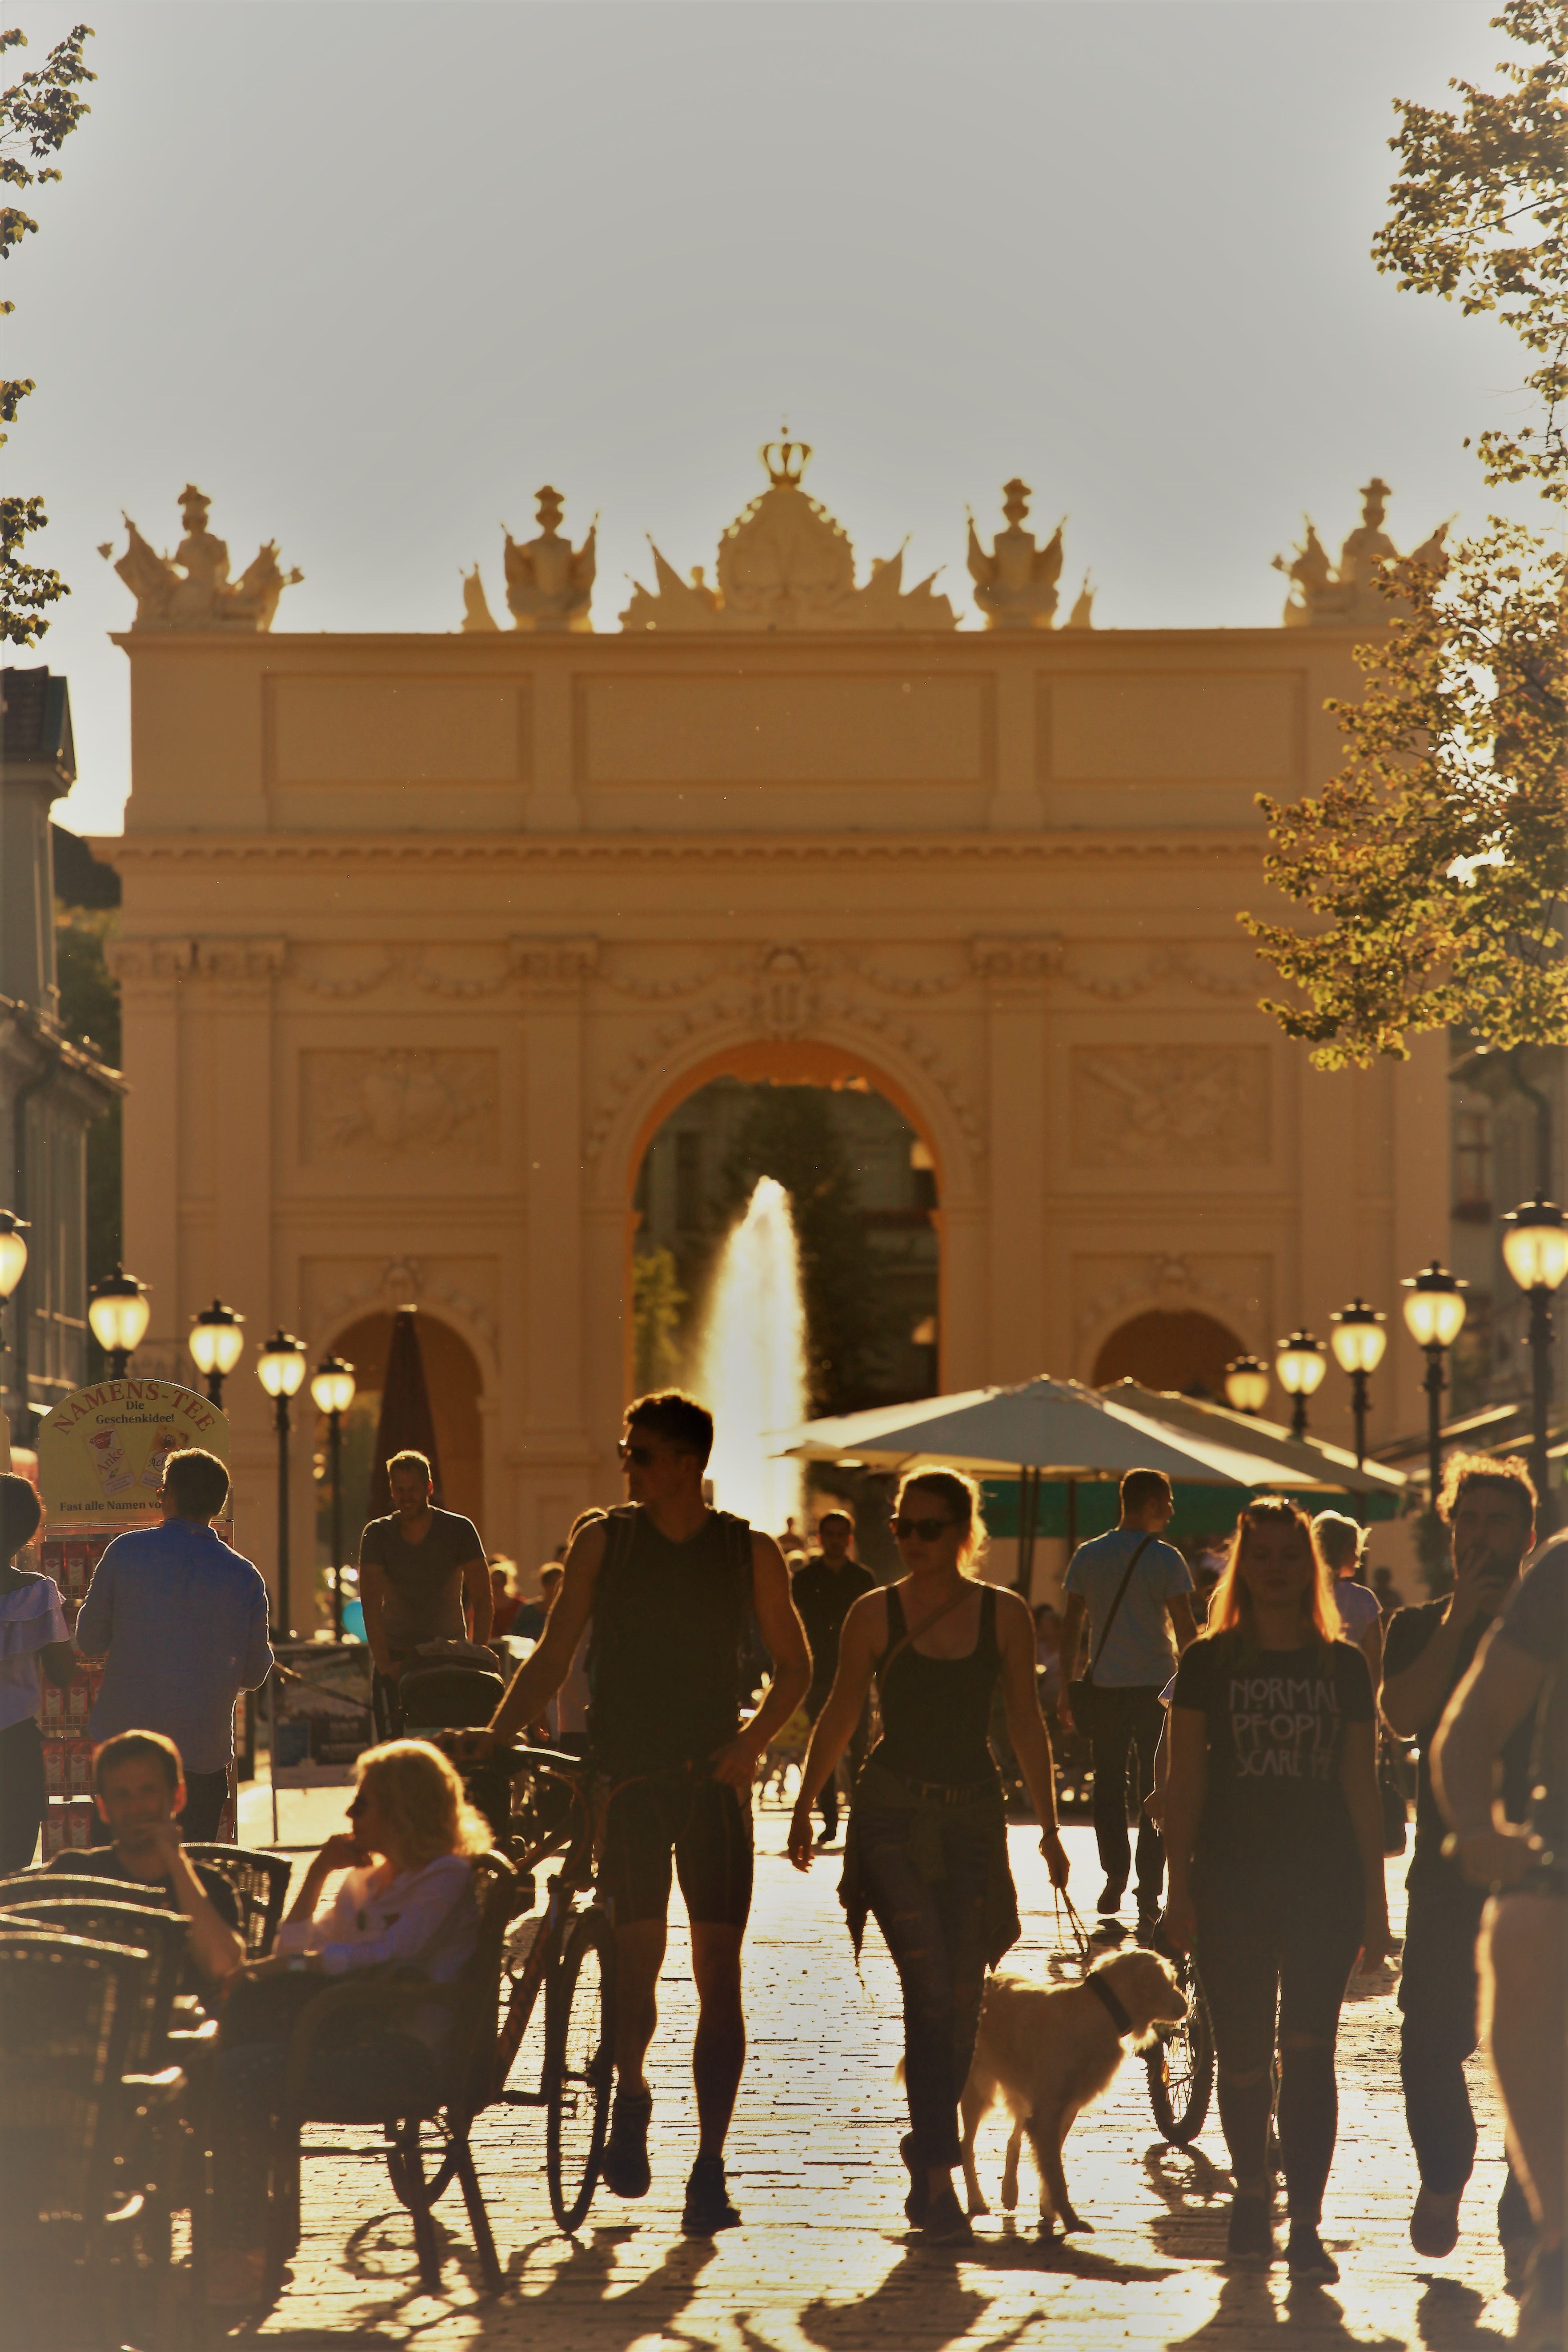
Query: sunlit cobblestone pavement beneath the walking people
x=826 y=2264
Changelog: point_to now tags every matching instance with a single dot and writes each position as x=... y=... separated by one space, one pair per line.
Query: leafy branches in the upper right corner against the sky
x=1482 y=215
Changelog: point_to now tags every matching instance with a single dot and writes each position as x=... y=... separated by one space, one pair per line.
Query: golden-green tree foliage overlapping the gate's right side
x=1435 y=864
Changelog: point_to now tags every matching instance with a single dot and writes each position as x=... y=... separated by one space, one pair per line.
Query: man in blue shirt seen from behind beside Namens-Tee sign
x=182 y=1624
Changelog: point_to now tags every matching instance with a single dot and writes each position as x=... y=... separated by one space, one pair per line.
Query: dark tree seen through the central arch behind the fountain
x=789 y=1135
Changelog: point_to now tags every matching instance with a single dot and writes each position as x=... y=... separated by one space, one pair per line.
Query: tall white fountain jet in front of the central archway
x=751 y=1361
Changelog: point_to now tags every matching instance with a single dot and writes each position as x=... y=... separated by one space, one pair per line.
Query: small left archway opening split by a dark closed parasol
x=455 y=1387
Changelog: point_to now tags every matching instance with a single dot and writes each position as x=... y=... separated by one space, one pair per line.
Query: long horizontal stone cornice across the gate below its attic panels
x=316 y=850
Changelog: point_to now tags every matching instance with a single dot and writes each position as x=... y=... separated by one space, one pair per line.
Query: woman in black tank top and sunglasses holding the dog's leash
x=927 y=1833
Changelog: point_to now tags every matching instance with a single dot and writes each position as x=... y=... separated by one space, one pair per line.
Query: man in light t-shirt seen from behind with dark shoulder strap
x=1132 y=1666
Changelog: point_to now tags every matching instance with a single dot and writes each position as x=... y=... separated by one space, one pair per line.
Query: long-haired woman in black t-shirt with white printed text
x=1275 y=1850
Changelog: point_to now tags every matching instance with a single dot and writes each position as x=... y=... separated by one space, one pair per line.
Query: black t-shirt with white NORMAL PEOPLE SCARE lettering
x=1275 y=1739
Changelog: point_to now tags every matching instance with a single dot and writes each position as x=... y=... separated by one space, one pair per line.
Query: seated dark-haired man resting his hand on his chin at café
x=140 y=1786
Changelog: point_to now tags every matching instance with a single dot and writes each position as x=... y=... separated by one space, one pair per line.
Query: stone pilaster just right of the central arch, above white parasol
x=1014 y=975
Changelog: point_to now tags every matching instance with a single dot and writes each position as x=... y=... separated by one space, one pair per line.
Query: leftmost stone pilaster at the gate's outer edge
x=152 y=973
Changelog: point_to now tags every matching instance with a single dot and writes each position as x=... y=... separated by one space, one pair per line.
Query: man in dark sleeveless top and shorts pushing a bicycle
x=671 y=1589
